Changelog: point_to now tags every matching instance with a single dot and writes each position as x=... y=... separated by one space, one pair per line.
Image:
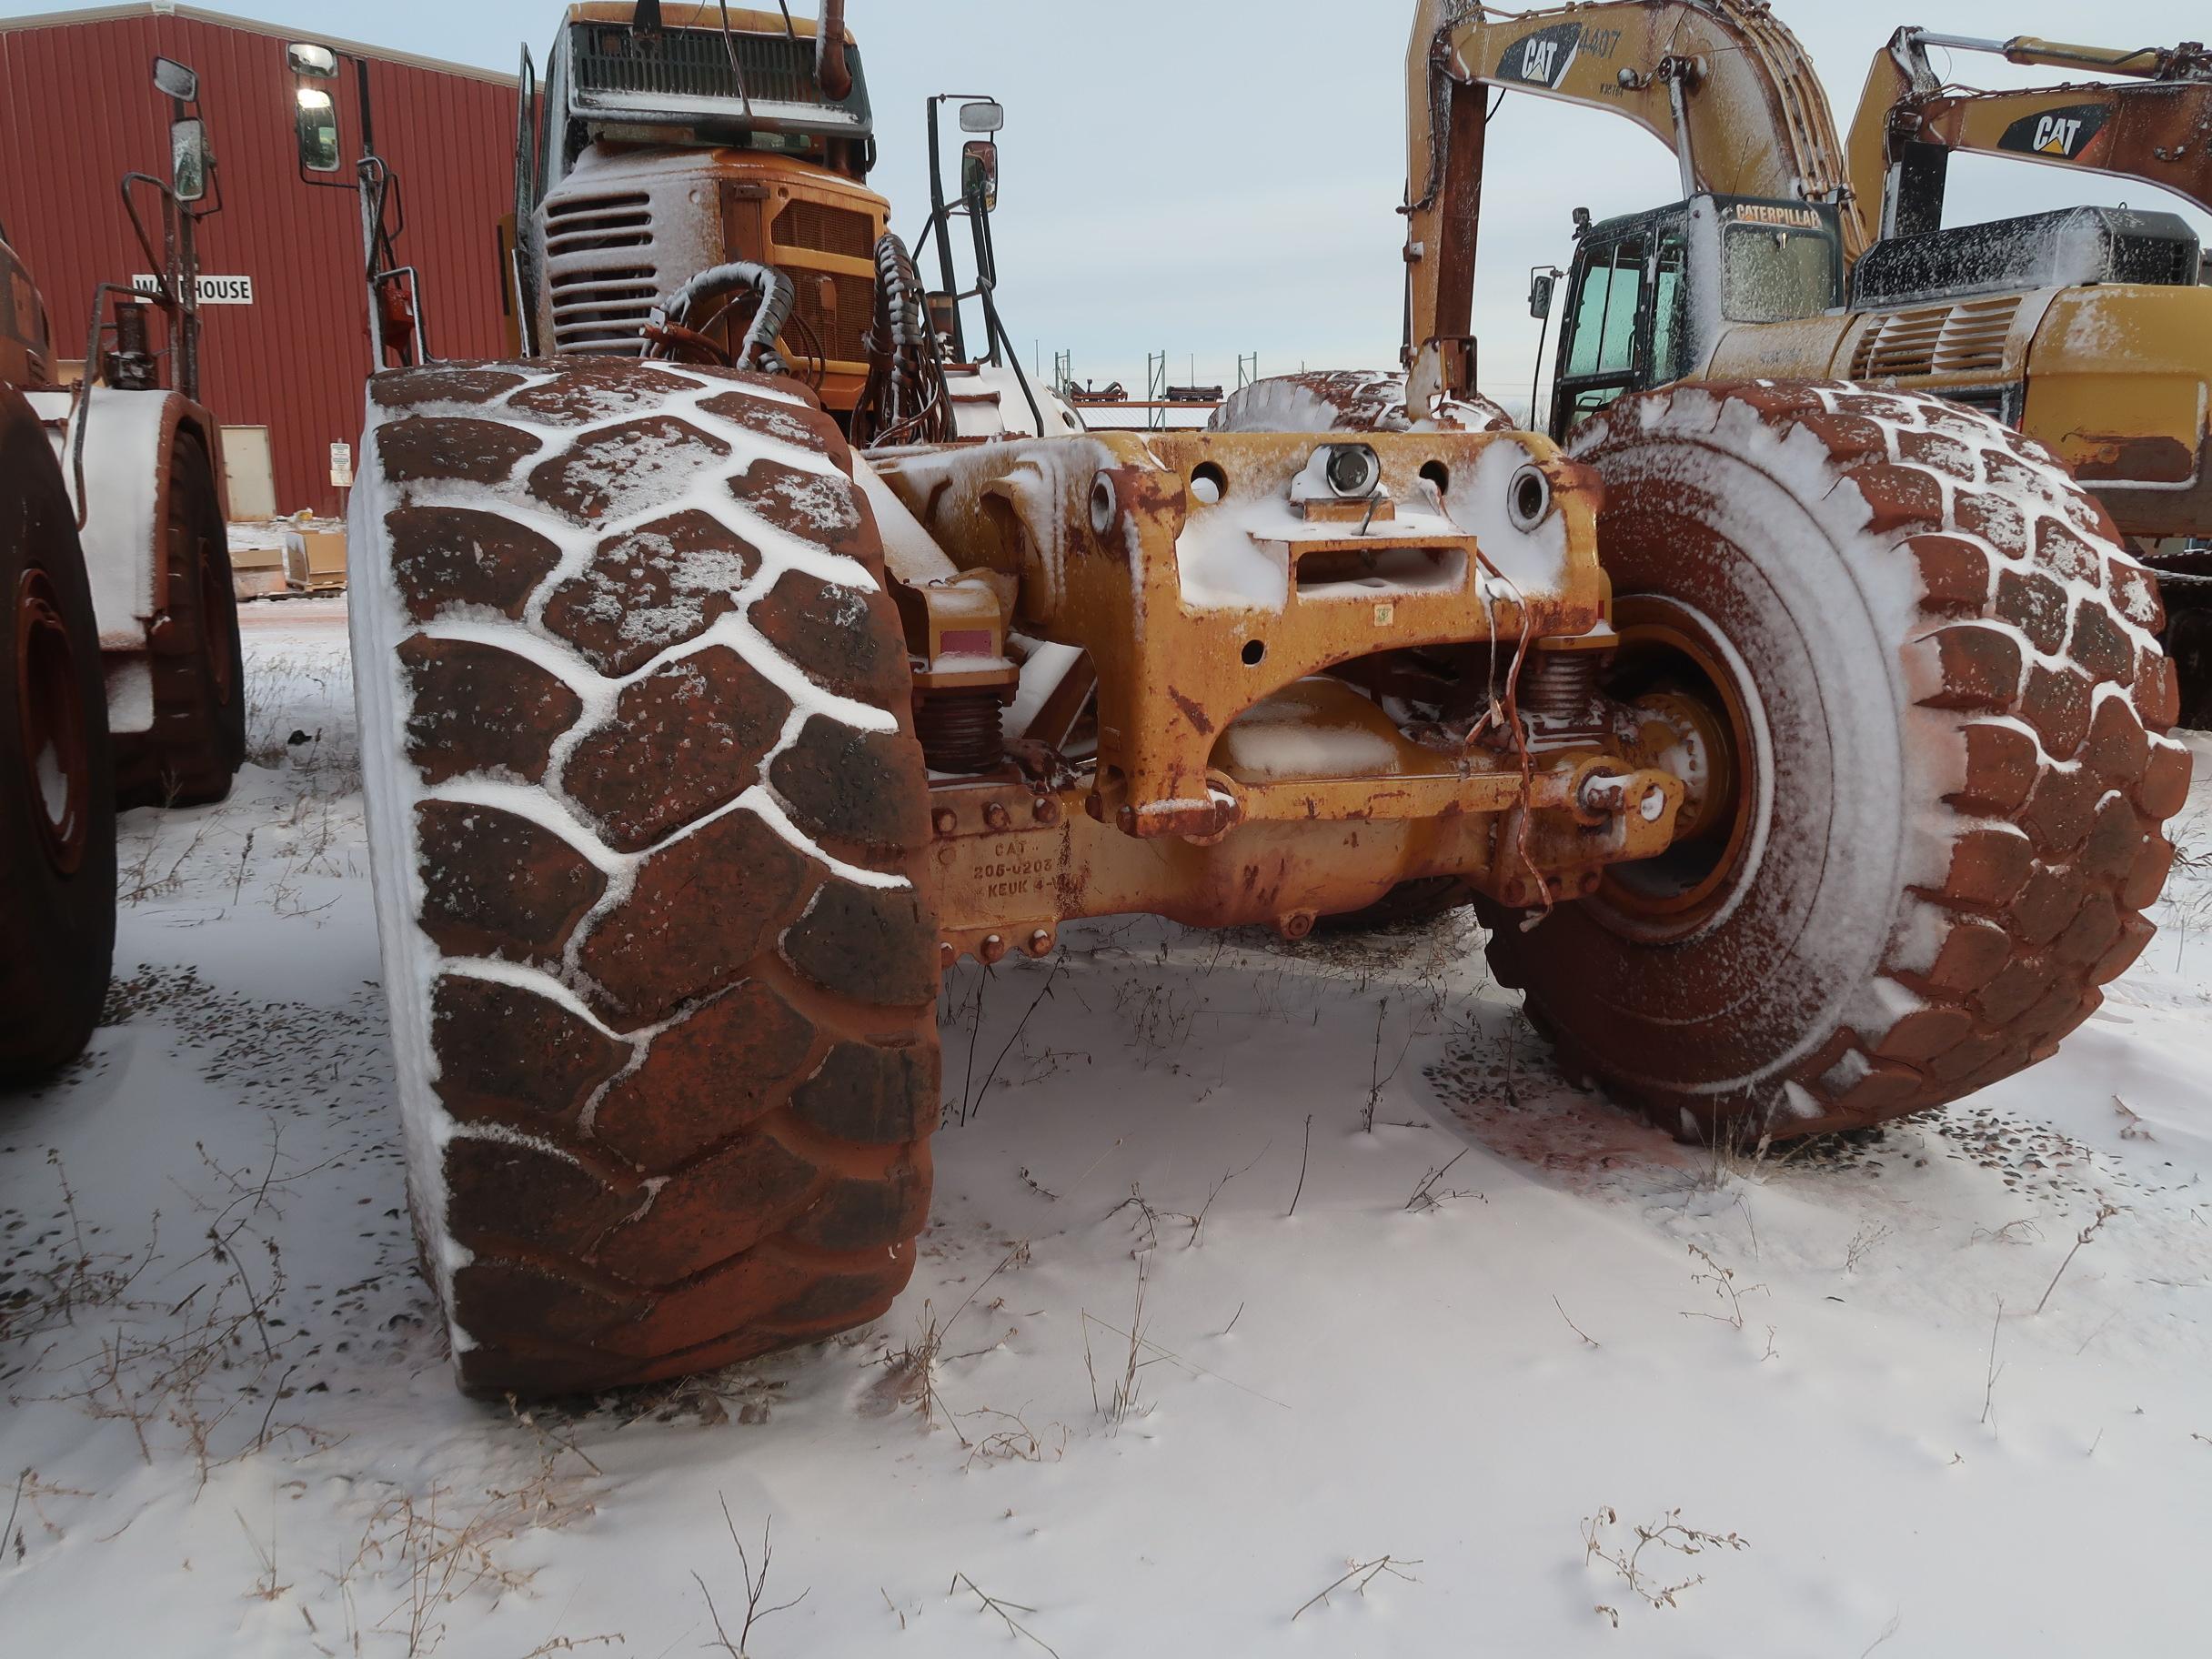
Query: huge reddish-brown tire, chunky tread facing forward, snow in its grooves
x=647 y=822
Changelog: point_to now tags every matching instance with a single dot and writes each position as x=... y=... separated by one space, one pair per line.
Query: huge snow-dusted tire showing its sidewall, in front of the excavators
x=1948 y=707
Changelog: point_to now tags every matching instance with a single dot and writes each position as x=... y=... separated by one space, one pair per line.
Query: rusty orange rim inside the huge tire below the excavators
x=1676 y=671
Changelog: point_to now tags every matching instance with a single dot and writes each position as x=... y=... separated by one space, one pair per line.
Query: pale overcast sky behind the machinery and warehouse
x=1218 y=178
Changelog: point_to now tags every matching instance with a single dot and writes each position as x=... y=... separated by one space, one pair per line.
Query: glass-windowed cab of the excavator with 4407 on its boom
x=1649 y=293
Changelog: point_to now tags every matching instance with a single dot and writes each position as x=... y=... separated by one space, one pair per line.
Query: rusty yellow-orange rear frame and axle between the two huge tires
x=1211 y=585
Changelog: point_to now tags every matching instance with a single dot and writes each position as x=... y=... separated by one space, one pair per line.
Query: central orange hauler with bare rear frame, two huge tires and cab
x=707 y=727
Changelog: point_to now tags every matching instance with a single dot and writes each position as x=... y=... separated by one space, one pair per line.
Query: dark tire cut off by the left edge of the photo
x=56 y=778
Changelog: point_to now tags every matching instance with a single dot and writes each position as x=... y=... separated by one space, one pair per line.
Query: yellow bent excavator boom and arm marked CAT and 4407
x=1722 y=83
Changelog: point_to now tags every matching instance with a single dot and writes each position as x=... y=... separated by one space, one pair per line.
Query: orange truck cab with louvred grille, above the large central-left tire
x=669 y=147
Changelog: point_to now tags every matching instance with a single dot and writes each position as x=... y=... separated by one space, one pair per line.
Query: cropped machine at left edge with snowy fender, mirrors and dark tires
x=121 y=662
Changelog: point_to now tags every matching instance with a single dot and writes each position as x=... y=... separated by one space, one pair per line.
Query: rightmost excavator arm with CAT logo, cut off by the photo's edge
x=2156 y=125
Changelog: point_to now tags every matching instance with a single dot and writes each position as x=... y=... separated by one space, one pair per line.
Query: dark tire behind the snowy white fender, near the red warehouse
x=198 y=740
